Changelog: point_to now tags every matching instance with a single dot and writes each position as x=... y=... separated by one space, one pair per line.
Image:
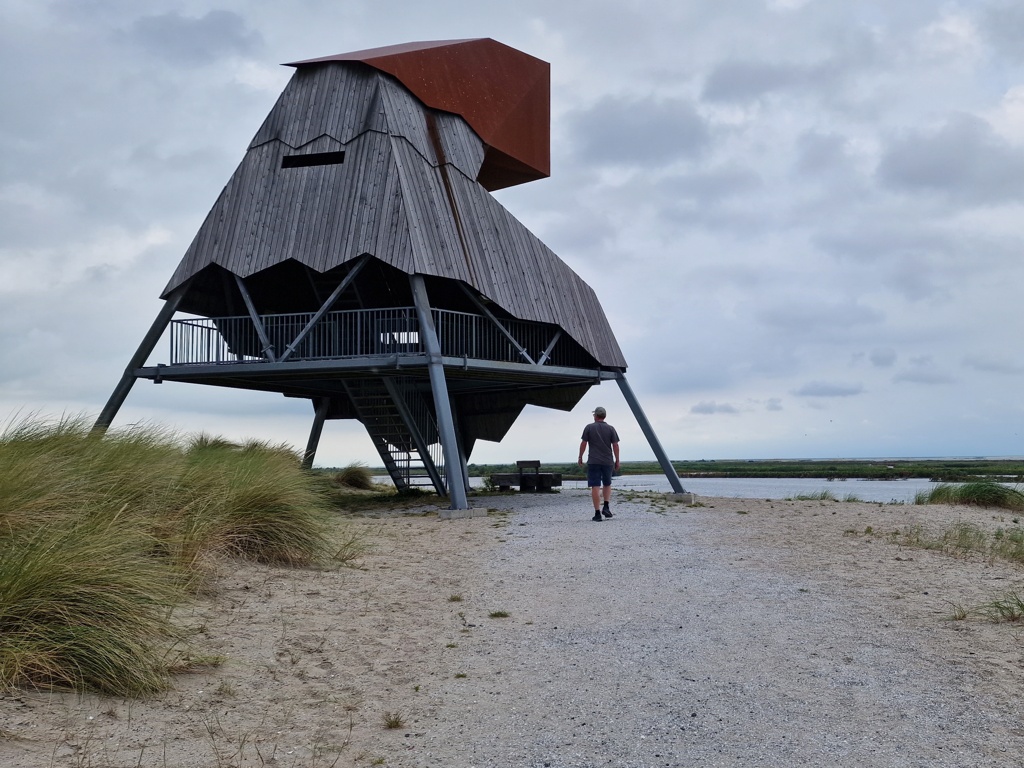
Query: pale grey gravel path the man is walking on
x=708 y=639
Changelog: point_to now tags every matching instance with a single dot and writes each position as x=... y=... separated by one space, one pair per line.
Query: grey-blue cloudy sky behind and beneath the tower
x=804 y=219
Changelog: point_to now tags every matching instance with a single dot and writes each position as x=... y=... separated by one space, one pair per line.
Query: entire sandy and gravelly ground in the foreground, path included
x=736 y=633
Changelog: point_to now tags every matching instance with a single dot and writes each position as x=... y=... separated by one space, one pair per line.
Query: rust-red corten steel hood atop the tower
x=503 y=94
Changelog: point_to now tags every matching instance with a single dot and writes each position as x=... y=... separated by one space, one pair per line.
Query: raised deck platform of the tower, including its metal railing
x=296 y=354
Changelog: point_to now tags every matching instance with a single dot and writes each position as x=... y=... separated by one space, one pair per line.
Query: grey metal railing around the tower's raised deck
x=367 y=333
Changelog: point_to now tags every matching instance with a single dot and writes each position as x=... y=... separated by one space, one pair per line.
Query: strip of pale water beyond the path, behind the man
x=773 y=488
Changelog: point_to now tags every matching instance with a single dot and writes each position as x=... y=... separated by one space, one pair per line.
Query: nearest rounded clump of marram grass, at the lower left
x=82 y=607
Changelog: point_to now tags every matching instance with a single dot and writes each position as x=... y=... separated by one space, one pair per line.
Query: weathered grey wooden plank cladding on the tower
x=391 y=198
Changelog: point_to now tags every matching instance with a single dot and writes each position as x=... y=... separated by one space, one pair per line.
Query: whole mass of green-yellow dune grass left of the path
x=103 y=536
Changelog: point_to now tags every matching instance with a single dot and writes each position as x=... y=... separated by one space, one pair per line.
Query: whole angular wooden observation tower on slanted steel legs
x=358 y=260
